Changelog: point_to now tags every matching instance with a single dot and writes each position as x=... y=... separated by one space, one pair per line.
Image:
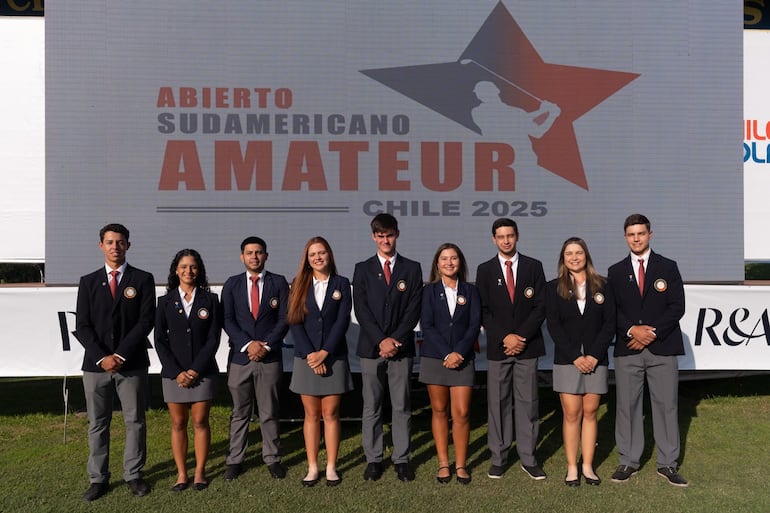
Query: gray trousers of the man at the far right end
x=663 y=382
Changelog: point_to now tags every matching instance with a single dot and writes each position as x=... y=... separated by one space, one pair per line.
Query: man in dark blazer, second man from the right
x=512 y=290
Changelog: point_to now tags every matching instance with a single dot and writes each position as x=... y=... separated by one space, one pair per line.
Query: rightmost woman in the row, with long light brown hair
x=581 y=320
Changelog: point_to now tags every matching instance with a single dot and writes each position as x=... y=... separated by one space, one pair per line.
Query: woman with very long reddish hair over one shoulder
x=319 y=316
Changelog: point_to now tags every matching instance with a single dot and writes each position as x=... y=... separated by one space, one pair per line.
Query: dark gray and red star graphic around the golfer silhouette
x=502 y=53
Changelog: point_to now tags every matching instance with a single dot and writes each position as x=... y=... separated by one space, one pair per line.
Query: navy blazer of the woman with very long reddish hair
x=325 y=328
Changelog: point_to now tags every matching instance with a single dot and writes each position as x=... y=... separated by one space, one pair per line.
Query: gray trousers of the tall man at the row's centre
x=396 y=374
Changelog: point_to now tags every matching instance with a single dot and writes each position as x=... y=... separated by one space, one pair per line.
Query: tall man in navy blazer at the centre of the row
x=387 y=293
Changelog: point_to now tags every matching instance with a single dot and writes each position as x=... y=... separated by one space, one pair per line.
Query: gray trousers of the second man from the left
x=260 y=381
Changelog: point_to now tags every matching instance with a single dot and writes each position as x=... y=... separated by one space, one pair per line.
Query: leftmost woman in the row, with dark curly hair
x=187 y=330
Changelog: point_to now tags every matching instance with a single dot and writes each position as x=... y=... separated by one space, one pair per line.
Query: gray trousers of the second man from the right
x=512 y=383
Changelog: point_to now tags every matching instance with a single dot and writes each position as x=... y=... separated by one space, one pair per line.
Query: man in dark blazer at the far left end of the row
x=115 y=314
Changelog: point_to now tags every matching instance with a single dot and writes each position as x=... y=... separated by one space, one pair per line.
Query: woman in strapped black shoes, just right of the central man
x=450 y=323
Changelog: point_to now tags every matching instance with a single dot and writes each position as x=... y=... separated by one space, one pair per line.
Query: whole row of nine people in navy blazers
x=639 y=304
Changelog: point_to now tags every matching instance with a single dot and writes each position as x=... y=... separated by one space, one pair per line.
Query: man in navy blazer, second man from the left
x=254 y=307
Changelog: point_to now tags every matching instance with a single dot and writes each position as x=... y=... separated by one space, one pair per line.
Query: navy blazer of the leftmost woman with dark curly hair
x=184 y=343
